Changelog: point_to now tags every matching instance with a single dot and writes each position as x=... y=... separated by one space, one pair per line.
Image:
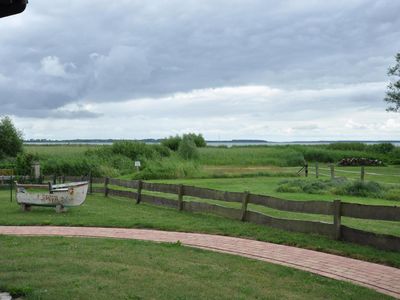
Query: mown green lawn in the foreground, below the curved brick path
x=78 y=268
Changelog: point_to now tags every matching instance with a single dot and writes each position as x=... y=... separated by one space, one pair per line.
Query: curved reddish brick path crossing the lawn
x=378 y=277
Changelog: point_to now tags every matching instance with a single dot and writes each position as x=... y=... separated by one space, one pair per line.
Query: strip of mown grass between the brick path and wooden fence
x=120 y=212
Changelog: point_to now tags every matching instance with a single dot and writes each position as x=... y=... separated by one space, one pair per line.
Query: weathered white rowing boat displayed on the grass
x=59 y=196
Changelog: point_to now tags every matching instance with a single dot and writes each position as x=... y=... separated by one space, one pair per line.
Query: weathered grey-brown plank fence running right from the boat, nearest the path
x=336 y=209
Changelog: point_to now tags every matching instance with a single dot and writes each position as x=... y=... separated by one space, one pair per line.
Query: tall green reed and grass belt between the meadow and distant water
x=159 y=162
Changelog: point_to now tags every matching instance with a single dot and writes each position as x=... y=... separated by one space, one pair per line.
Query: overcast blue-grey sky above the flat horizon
x=229 y=69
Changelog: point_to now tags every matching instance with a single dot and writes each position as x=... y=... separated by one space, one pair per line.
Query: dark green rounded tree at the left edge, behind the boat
x=10 y=138
